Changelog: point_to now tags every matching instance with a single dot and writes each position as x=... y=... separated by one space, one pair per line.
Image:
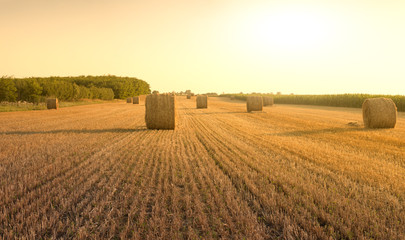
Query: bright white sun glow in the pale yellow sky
x=289 y=30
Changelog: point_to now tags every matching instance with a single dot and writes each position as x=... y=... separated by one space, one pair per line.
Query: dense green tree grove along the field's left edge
x=36 y=89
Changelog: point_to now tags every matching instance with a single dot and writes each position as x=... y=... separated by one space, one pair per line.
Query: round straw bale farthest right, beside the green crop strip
x=379 y=113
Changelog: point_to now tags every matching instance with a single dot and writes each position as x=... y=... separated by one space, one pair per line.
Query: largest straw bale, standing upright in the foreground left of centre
x=160 y=111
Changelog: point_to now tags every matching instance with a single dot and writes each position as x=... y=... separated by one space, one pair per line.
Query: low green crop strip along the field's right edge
x=333 y=100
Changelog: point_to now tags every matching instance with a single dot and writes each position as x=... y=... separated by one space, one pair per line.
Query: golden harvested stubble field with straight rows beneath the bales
x=290 y=172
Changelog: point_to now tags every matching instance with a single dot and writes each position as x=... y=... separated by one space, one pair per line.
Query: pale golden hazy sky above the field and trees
x=292 y=46
